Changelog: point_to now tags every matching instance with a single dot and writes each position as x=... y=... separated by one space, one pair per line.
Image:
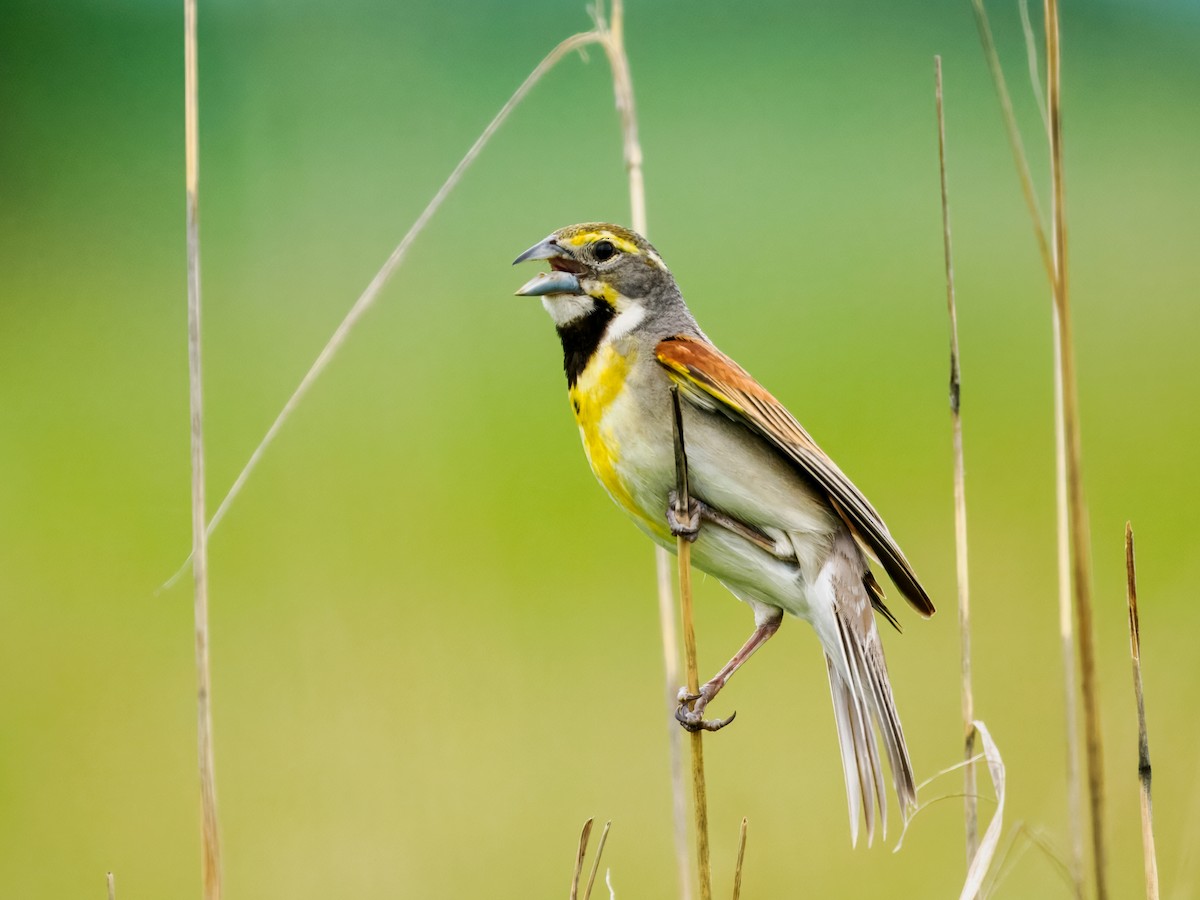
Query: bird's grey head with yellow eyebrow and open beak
x=598 y=265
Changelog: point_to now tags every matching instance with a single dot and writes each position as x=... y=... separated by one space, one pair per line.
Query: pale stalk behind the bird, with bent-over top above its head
x=623 y=93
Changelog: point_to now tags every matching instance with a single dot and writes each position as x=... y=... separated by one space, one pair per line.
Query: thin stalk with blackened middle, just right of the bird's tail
x=971 y=812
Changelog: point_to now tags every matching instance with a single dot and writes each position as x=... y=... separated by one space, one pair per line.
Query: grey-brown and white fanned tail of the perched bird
x=862 y=695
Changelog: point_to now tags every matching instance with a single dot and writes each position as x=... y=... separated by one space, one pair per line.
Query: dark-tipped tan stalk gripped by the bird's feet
x=683 y=550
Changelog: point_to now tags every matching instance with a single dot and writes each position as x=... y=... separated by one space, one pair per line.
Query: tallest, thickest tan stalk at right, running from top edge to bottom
x=1081 y=530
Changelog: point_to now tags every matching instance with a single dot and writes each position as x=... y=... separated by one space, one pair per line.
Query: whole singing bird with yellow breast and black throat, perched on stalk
x=771 y=517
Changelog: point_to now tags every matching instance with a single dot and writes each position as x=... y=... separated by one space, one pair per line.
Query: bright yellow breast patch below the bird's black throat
x=595 y=399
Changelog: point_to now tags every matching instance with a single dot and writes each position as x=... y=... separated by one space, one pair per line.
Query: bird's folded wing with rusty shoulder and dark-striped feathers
x=698 y=364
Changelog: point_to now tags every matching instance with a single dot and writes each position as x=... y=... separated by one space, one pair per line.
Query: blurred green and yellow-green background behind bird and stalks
x=435 y=641
